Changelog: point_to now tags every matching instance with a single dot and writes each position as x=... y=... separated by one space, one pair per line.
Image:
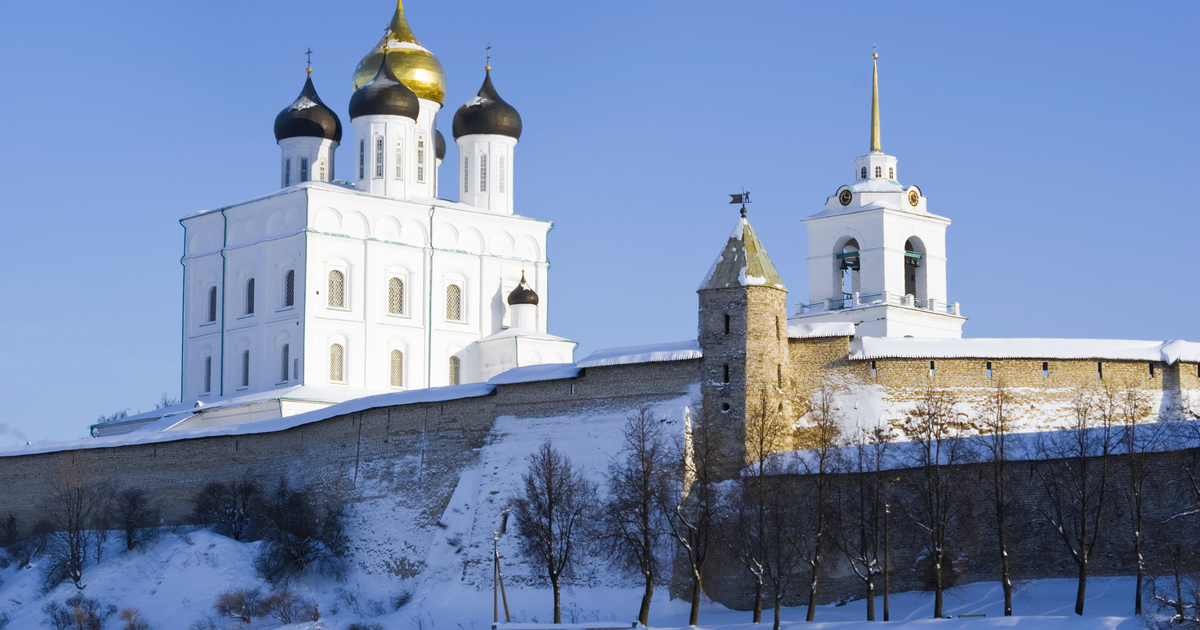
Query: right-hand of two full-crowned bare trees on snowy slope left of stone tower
x=632 y=525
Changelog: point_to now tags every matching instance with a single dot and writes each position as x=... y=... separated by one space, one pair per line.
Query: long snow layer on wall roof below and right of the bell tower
x=866 y=349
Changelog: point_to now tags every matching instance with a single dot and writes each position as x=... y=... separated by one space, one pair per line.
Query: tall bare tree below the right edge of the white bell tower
x=938 y=452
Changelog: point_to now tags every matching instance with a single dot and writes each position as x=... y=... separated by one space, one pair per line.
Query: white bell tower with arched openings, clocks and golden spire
x=878 y=256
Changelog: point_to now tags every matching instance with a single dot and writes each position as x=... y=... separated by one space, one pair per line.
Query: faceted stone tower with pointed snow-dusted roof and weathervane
x=743 y=334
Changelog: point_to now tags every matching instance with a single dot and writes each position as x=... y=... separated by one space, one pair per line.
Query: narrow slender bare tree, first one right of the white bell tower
x=995 y=427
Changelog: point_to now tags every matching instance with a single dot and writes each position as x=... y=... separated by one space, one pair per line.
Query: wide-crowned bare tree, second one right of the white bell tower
x=1076 y=479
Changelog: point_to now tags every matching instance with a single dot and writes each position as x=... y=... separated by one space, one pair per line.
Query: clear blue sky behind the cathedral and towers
x=1060 y=137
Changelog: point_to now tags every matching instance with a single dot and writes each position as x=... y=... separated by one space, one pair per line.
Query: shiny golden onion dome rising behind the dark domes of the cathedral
x=413 y=65
